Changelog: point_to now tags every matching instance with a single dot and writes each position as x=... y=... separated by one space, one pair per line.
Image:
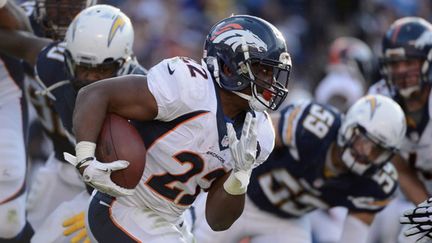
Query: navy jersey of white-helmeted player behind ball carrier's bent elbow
x=54 y=96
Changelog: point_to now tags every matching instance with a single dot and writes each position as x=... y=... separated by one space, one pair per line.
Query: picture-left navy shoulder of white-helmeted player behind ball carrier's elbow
x=49 y=67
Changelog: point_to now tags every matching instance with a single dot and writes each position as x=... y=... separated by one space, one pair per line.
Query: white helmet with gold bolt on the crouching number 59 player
x=371 y=132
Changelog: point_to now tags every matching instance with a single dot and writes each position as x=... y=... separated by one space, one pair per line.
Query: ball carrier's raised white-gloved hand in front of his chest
x=243 y=152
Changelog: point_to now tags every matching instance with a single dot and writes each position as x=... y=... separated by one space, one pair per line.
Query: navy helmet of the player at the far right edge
x=408 y=40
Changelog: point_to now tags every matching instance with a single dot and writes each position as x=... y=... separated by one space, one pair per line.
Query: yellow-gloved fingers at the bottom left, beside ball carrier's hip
x=76 y=225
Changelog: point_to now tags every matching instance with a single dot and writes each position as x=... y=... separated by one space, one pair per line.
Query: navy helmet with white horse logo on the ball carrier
x=244 y=52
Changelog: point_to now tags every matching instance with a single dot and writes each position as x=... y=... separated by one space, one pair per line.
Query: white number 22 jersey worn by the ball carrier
x=187 y=145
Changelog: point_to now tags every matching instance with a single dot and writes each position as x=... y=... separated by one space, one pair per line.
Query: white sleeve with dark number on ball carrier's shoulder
x=179 y=86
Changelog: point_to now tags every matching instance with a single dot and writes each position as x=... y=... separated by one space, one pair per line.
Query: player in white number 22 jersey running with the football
x=204 y=127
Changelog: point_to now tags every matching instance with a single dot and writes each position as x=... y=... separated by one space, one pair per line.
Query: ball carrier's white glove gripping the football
x=98 y=175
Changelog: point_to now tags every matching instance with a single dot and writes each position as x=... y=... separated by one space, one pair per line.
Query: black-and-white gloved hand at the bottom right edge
x=420 y=218
